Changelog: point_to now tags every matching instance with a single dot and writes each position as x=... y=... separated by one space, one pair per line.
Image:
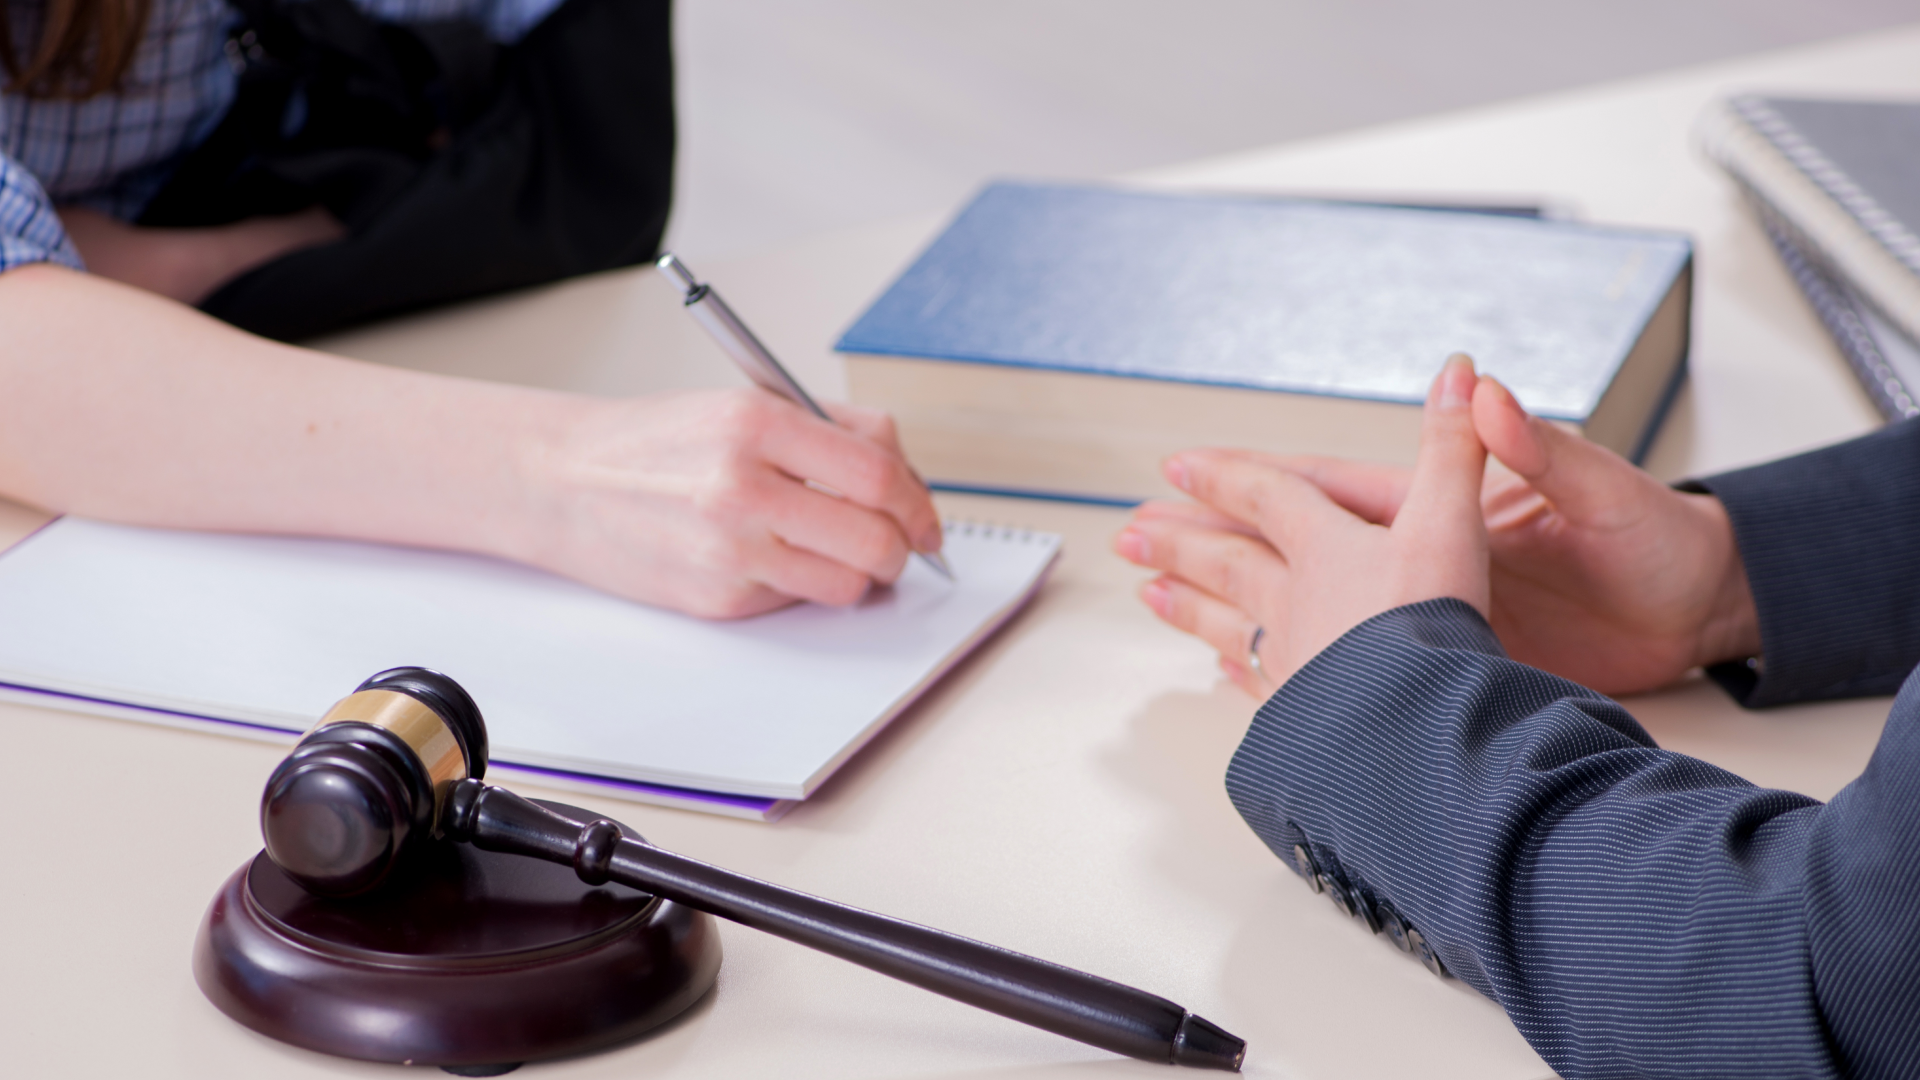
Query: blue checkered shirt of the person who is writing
x=116 y=151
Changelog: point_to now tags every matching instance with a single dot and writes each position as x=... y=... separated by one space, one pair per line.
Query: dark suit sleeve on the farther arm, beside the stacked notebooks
x=1833 y=551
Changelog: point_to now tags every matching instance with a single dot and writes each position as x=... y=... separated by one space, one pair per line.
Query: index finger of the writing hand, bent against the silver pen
x=857 y=468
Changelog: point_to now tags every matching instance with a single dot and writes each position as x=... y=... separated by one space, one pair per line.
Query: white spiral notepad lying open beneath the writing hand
x=260 y=635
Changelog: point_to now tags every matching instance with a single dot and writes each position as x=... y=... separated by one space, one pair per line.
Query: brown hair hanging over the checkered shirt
x=85 y=47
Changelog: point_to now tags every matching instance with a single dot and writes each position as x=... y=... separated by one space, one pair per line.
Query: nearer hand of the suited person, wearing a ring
x=1270 y=549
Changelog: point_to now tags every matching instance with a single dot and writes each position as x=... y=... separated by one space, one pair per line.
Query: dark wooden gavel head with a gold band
x=372 y=777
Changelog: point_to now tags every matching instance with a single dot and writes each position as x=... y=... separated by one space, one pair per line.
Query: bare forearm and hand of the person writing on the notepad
x=132 y=408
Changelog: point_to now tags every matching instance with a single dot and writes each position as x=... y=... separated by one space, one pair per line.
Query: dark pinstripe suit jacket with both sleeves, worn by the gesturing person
x=1637 y=912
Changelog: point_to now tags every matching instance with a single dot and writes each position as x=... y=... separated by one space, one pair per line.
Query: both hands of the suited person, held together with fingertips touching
x=1583 y=564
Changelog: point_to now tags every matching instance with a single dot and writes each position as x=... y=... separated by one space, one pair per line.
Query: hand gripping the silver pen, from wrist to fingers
x=727 y=503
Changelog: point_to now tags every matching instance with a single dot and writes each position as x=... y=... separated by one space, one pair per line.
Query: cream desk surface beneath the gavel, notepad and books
x=1063 y=791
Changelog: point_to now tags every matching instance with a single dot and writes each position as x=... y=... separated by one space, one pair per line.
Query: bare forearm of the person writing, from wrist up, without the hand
x=132 y=408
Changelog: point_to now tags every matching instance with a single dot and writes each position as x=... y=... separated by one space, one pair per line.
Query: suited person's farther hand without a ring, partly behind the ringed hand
x=1600 y=574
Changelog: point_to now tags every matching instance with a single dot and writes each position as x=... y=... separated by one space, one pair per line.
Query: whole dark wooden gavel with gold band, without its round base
x=400 y=764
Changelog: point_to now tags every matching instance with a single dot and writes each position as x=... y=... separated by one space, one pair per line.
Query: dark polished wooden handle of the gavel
x=1013 y=985
